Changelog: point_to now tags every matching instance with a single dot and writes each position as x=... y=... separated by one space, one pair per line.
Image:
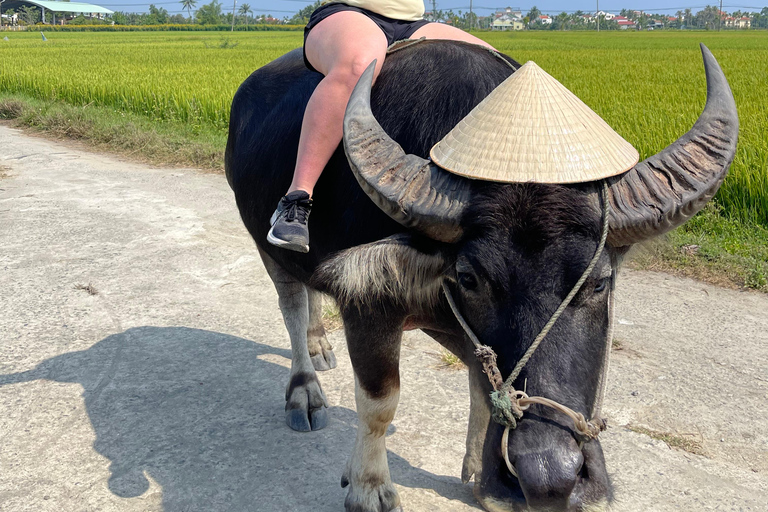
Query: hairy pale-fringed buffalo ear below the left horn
x=397 y=269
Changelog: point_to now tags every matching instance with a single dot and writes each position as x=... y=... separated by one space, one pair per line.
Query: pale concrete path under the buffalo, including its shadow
x=161 y=386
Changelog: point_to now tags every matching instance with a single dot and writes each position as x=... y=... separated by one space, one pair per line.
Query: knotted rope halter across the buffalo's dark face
x=508 y=403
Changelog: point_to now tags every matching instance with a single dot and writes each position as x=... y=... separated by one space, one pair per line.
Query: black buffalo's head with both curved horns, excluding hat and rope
x=510 y=253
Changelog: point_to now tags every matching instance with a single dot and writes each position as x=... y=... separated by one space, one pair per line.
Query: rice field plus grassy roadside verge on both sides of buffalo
x=165 y=97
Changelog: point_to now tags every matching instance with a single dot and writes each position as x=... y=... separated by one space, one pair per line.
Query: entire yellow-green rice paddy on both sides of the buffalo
x=649 y=86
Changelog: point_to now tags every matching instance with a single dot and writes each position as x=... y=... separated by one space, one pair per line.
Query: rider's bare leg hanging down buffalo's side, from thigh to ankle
x=341 y=47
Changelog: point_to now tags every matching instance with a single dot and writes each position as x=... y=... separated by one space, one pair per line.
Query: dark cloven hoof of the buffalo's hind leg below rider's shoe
x=305 y=406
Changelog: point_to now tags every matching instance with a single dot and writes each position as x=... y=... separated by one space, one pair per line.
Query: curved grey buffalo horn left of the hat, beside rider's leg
x=410 y=189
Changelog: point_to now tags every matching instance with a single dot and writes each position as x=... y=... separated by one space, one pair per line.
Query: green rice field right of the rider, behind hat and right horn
x=650 y=88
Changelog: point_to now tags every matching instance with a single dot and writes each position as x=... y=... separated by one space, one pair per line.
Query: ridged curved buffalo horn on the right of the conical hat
x=667 y=189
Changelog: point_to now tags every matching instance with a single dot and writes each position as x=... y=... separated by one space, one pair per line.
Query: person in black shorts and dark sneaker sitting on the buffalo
x=341 y=39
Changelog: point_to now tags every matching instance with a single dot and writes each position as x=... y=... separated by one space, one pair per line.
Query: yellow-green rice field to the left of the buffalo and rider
x=167 y=76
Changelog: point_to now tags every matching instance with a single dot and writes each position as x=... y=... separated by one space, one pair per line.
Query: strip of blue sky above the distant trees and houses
x=282 y=8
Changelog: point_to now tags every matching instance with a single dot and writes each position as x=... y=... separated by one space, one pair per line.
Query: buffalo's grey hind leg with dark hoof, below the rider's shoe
x=305 y=407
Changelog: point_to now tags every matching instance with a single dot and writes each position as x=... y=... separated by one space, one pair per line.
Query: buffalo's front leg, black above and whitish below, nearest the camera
x=374 y=349
